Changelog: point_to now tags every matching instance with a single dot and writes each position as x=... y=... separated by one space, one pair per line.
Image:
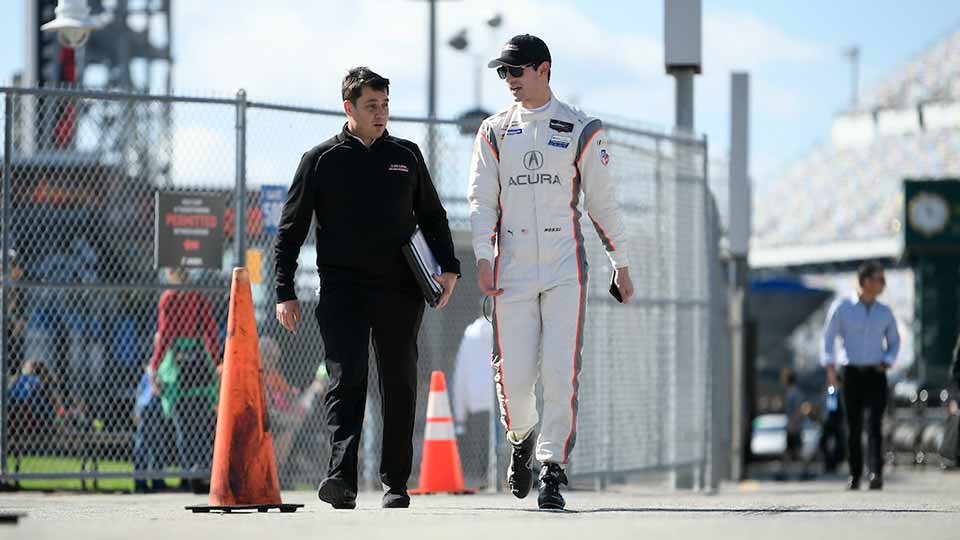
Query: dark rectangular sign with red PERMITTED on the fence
x=189 y=231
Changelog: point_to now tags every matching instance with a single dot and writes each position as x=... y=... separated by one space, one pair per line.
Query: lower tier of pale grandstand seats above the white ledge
x=852 y=193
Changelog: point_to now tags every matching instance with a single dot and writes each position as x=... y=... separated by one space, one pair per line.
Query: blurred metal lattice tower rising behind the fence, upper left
x=130 y=53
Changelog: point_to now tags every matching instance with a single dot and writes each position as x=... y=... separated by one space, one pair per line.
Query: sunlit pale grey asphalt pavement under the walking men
x=912 y=506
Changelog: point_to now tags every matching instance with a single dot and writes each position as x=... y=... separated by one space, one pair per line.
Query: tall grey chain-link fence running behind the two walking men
x=81 y=297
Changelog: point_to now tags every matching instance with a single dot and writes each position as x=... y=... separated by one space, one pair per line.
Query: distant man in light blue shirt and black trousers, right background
x=868 y=331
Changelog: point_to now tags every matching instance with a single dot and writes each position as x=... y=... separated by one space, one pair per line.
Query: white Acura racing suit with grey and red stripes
x=526 y=176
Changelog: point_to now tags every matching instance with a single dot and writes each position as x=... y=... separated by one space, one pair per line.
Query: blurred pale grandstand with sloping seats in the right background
x=843 y=200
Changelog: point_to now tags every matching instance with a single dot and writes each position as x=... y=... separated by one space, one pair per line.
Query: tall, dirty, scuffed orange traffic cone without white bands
x=244 y=472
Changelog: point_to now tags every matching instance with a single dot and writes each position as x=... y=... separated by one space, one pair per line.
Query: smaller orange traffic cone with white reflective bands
x=440 y=470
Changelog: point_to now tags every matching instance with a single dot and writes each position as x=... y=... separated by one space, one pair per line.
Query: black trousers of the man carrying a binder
x=348 y=314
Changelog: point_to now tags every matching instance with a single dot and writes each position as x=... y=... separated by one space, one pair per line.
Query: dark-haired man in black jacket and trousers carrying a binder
x=367 y=192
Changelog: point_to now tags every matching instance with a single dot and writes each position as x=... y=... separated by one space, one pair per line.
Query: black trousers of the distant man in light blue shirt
x=864 y=389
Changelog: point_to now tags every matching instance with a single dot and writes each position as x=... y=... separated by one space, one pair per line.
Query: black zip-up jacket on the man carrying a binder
x=367 y=202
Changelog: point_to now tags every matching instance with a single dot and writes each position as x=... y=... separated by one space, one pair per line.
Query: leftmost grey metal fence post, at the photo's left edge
x=5 y=262
